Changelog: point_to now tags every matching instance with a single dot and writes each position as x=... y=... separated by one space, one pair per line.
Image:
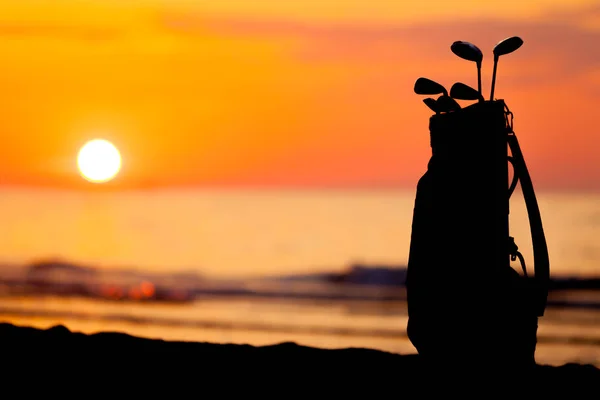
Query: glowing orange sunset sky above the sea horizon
x=295 y=92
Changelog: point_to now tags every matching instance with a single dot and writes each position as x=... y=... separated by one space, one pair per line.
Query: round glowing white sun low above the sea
x=99 y=161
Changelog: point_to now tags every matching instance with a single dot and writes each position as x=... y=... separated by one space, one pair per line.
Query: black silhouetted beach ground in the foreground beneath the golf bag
x=120 y=363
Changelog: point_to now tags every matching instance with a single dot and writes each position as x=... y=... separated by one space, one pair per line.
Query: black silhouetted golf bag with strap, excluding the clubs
x=465 y=300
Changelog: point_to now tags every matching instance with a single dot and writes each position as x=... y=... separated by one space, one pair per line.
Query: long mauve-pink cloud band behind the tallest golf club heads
x=561 y=44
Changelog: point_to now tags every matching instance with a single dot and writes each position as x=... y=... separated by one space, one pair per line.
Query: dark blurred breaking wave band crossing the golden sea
x=364 y=282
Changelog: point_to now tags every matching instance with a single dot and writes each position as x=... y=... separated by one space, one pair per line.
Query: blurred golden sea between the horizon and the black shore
x=319 y=267
